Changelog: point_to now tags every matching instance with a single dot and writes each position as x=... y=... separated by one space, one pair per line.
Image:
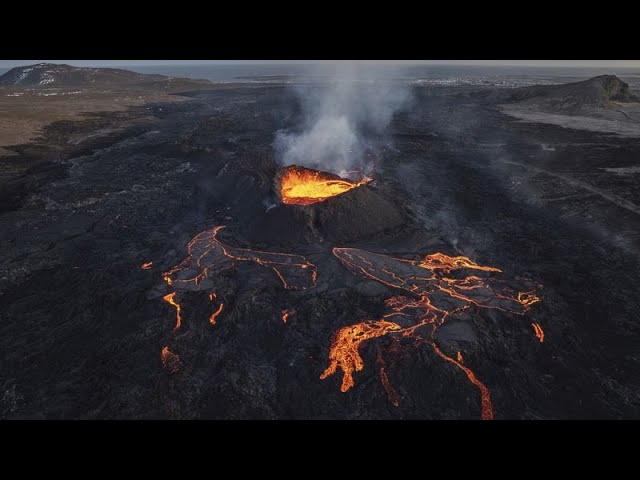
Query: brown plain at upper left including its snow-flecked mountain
x=51 y=93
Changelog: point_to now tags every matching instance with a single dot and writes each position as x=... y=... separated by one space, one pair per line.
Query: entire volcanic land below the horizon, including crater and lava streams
x=289 y=248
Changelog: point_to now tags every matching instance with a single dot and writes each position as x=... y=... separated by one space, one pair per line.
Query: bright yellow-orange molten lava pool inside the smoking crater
x=303 y=186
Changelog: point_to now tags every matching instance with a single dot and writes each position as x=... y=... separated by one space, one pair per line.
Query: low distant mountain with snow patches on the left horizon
x=60 y=75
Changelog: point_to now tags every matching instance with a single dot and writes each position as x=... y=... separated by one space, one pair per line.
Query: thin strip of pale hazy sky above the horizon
x=540 y=63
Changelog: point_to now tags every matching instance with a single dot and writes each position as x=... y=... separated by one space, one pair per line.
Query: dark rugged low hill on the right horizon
x=596 y=92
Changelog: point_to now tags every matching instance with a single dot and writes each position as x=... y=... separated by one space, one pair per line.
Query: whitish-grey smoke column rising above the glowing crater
x=342 y=120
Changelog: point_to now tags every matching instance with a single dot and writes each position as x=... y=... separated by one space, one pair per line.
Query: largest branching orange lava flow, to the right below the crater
x=431 y=297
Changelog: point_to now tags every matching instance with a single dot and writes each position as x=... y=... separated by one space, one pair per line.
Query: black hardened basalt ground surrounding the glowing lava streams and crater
x=83 y=326
